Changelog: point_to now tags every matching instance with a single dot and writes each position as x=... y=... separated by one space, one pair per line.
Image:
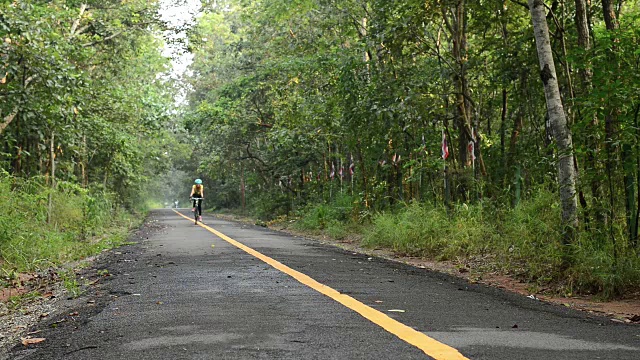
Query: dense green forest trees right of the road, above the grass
x=310 y=101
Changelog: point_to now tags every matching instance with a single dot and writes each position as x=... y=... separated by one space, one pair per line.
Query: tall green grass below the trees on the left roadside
x=82 y=223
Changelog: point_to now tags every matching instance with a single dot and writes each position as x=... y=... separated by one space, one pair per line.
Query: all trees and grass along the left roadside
x=84 y=123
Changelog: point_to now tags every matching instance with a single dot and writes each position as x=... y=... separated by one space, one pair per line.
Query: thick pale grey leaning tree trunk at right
x=557 y=118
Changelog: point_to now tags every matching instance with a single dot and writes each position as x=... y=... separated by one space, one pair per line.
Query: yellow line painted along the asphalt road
x=429 y=346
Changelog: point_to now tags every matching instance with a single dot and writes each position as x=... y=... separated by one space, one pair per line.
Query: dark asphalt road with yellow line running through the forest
x=183 y=292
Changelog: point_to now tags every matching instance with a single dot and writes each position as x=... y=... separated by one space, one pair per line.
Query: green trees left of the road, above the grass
x=84 y=78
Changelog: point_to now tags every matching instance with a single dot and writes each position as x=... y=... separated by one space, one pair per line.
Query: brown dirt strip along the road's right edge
x=626 y=310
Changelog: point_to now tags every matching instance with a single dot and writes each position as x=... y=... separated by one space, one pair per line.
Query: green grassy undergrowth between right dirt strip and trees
x=523 y=242
